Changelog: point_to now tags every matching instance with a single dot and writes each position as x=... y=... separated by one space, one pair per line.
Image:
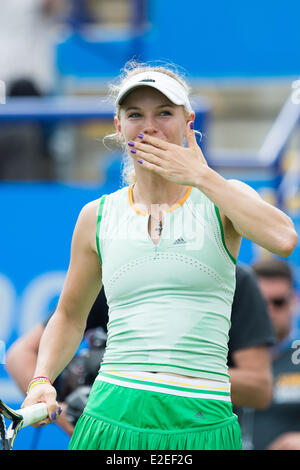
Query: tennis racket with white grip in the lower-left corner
x=19 y=419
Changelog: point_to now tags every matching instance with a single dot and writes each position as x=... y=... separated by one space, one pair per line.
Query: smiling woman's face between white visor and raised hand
x=147 y=111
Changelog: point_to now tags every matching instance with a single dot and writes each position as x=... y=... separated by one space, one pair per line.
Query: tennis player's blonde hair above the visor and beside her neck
x=132 y=68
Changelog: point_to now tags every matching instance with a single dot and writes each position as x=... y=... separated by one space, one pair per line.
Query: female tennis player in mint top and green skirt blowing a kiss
x=165 y=249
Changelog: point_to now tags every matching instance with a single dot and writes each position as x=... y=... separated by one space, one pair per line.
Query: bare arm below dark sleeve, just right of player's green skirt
x=251 y=378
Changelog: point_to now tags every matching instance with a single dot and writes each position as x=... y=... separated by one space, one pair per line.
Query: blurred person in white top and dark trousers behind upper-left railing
x=27 y=46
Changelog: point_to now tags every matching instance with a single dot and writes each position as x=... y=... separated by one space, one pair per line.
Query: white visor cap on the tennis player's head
x=167 y=85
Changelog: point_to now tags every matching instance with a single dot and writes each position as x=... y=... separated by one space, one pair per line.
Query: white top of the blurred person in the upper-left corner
x=27 y=39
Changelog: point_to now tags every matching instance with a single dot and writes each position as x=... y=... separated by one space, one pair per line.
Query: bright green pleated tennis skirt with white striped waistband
x=146 y=411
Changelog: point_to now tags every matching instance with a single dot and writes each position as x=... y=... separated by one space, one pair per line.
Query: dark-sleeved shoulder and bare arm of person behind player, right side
x=250 y=337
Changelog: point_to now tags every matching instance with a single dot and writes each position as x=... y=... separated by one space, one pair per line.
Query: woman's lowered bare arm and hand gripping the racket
x=65 y=328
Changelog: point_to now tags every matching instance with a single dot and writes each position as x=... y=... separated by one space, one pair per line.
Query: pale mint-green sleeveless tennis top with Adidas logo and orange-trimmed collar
x=169 y=303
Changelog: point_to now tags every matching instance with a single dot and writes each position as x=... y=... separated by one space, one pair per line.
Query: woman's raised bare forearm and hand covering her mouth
x=244 y=213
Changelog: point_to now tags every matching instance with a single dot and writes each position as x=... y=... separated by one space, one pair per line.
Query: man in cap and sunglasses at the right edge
x=278 y=426
